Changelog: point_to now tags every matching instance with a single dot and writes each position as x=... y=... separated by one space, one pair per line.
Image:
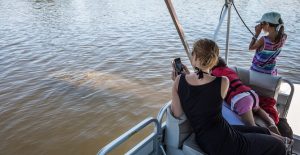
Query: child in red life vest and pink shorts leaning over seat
x=242 y=99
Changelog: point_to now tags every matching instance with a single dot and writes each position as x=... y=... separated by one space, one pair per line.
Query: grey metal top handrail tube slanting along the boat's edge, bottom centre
x=130 y=133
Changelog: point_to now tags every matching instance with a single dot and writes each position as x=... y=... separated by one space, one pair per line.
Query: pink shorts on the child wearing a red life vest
x=245 y=104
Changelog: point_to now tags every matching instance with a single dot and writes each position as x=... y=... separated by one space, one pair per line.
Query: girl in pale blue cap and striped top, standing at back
x=267 y=47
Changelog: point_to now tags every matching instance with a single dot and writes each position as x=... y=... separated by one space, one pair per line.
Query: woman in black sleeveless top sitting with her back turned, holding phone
x=199 y=96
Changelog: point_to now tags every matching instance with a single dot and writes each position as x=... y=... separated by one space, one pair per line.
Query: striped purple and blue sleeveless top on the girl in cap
x=264 y=60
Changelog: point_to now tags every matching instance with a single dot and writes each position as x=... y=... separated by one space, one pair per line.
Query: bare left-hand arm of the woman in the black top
x=176 y=105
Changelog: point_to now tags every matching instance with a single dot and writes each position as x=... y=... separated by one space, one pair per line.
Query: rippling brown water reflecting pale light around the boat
x=75 y=74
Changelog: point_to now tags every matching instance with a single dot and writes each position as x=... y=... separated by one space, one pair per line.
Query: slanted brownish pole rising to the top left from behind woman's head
x=178 y=28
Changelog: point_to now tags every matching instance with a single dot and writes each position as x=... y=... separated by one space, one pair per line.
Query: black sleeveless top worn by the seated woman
x=202 y=104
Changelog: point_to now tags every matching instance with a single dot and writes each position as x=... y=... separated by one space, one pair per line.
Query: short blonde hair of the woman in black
x=207 y=52
